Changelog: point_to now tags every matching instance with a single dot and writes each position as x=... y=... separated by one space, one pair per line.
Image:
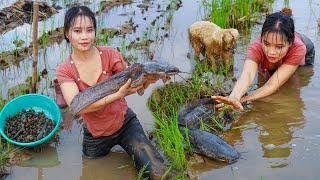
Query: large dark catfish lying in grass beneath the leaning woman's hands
x=203 y=142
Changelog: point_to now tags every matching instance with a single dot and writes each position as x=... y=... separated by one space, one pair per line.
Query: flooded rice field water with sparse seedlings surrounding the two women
x=279 y=138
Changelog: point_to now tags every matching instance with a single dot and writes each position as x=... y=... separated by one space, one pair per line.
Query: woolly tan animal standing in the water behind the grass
x=207 y=37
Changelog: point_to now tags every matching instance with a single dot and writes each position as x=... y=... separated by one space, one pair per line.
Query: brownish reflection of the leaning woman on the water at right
x=279 y=116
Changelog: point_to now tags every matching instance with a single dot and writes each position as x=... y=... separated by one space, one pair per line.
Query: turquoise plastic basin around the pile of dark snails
x=38 y=103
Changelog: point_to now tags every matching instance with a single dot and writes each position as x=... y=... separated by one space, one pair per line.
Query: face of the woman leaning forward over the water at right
x=275 y=46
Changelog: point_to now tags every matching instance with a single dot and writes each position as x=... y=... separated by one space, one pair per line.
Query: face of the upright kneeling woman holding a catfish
x=82 y=34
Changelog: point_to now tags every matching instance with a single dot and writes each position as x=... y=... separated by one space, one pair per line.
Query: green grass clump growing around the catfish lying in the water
x=164 y=104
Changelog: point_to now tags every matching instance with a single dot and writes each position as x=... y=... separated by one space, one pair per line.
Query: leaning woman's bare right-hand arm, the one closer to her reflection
x=283 y=73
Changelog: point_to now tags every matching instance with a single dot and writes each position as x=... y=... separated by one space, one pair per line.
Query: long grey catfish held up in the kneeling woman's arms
x=155 y=70
